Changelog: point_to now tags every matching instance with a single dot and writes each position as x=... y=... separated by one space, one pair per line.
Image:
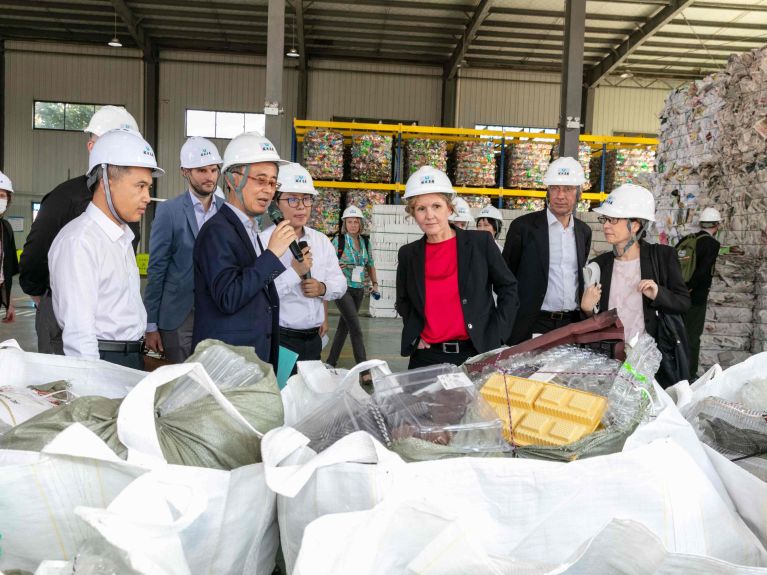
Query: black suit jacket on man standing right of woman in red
x=527 y=254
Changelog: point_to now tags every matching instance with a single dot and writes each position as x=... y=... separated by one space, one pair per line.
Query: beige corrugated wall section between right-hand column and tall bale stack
x=618 y=109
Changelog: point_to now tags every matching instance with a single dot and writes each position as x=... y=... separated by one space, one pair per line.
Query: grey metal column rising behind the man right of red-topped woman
x=572 y=78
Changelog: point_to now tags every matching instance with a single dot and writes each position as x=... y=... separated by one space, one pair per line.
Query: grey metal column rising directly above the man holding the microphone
x=275 y=52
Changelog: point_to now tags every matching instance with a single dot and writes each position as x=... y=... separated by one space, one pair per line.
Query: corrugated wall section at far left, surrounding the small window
x=39 y=160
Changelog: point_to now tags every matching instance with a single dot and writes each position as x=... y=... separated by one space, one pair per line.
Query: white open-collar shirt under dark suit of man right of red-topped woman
x=562 y=289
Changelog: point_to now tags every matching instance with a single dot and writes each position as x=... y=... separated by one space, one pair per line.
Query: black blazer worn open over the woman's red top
x=481 y=272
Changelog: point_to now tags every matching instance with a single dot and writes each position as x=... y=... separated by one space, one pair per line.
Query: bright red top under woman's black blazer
x=444 y=314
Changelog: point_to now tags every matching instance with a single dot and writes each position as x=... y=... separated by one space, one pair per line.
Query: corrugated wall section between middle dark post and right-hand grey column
x=506 y=98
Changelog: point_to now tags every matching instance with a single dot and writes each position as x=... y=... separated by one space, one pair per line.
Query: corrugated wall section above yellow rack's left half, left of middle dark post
x=375 y=91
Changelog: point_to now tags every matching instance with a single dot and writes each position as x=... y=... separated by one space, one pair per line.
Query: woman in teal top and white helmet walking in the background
x=356 y=260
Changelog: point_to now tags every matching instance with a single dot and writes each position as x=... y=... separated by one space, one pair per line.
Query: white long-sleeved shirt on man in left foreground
x=95 y=284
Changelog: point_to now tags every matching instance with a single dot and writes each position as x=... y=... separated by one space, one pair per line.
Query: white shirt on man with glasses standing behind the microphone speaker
x=296 y=310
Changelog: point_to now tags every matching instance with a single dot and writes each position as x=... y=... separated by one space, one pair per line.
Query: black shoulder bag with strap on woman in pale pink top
x=671 y=340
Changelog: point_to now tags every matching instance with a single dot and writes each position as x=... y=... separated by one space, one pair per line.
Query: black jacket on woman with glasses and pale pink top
x=672 y=297
